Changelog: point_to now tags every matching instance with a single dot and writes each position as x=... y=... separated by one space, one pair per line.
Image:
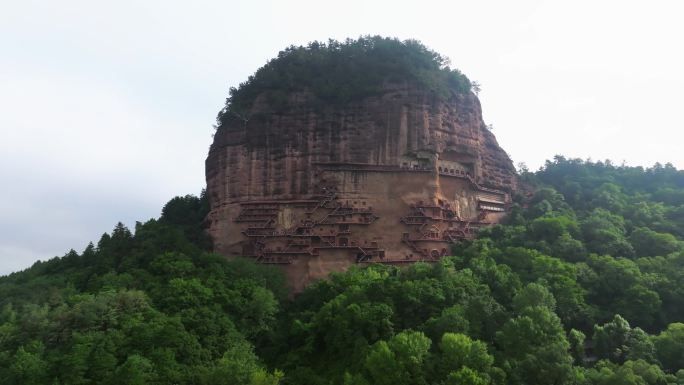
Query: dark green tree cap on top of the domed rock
x=338 y=72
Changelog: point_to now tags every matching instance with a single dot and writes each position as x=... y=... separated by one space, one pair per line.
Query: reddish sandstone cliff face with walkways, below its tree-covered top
x=392 y=178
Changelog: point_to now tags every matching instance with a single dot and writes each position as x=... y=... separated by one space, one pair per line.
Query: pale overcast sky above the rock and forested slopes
x=107 y=107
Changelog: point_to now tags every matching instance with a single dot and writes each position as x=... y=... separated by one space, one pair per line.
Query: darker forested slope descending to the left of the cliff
x=150 y=307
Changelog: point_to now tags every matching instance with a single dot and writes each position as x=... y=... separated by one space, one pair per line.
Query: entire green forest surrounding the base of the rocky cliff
x=583 y=284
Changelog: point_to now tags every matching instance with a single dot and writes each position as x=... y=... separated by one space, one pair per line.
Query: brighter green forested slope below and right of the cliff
x=583 y=290
